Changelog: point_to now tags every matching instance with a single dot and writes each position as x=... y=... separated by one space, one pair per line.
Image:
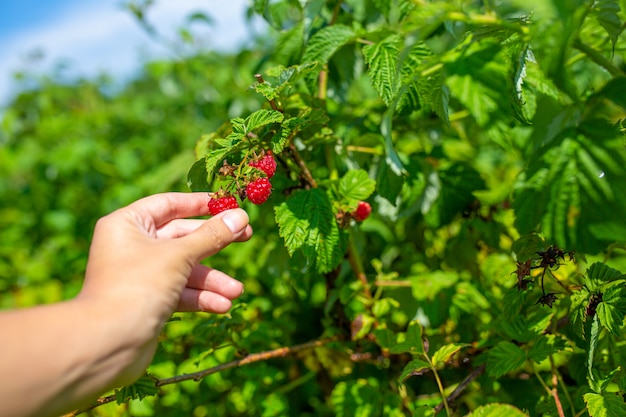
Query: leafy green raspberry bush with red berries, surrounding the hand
x=482 y=141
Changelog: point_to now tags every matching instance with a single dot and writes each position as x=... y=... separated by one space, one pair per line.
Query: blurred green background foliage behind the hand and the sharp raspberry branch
x=72 y=153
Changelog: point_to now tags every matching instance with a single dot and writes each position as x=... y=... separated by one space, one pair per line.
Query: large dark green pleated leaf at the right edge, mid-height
x=571 y=187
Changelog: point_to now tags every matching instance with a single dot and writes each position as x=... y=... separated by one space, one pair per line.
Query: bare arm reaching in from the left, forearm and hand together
x=144 y=264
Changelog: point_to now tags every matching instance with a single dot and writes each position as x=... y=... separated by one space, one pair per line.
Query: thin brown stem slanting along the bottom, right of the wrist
x=197 y=376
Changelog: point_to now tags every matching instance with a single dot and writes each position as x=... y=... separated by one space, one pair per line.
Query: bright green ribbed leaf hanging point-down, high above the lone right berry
x=382 y=58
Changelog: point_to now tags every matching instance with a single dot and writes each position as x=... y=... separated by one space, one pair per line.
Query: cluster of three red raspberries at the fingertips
x=254 y=187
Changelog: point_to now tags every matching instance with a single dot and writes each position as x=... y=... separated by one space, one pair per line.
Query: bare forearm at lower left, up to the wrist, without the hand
x=58 y=357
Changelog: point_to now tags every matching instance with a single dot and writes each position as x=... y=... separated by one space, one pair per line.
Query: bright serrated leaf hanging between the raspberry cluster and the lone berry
x=306 y=222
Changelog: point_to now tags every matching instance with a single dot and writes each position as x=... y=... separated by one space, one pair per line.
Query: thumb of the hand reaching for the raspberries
x=217 y=233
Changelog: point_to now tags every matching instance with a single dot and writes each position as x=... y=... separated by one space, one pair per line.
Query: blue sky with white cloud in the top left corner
x=89 y=37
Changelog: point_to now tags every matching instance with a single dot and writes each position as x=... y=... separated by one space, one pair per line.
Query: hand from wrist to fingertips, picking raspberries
x=144 y=263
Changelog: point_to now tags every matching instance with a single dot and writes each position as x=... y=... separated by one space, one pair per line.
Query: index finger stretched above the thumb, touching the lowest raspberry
x=162 y=208
